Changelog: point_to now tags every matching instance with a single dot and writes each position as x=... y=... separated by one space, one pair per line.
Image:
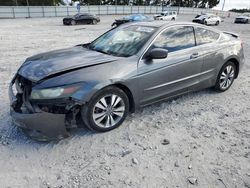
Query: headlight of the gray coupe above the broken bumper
x=52 y=93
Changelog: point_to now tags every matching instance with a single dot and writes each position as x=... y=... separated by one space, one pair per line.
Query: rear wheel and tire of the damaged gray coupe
x=225 y=77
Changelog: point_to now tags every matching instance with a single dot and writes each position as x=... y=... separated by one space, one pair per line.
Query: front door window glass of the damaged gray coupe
x=175 y=39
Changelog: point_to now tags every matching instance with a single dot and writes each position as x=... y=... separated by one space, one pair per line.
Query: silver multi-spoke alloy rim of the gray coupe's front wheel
x=108 y=111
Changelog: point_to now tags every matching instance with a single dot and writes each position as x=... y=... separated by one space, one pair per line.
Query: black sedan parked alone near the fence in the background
x=81 y=18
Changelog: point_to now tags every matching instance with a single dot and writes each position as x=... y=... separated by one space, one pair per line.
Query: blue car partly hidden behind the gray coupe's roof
x=131 y=18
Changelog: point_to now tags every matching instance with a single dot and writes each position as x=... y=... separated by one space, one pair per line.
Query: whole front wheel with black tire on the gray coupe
x=106 y=110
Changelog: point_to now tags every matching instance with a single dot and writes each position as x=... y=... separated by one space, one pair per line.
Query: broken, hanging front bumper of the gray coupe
x=41 y=125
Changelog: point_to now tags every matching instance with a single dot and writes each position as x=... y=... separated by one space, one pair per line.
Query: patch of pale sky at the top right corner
x=229 y=4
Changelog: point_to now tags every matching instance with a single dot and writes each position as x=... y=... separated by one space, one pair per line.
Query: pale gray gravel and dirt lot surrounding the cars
x=209 y=133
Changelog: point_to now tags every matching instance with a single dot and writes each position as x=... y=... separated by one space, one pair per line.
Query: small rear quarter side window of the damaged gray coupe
x=204 y=36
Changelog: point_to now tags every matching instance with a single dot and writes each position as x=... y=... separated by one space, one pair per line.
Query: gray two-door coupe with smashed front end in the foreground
x=99 y=83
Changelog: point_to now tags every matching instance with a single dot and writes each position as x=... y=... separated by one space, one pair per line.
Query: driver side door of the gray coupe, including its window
x=176 y=74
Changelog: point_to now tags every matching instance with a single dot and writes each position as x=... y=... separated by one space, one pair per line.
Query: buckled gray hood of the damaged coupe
x=48 y=64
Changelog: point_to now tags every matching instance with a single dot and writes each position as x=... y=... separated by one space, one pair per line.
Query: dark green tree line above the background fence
x=182 y=3
